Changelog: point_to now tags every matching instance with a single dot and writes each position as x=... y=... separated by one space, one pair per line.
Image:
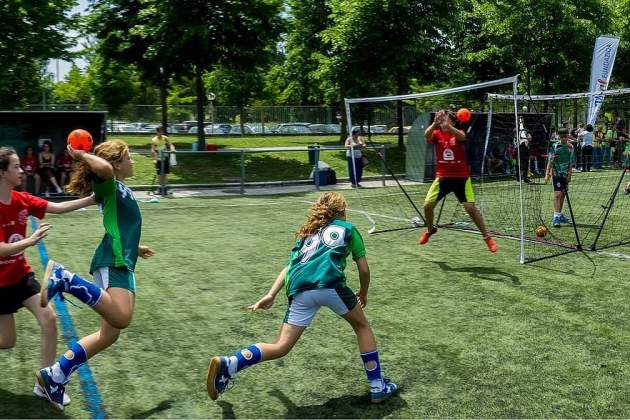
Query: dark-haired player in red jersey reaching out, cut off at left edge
x=18 y=286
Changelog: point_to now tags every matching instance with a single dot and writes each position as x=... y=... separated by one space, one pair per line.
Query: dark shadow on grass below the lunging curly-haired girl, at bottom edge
x=350 y=406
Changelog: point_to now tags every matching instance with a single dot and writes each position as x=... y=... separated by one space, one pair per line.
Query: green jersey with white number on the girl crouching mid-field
x=318 y=261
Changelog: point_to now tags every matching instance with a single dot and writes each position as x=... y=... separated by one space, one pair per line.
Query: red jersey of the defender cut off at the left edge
x=13 y=220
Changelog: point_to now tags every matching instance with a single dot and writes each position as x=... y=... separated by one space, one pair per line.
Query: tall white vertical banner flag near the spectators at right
x=604 y=55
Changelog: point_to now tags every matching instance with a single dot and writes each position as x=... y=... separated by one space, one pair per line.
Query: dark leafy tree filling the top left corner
x=23 y=53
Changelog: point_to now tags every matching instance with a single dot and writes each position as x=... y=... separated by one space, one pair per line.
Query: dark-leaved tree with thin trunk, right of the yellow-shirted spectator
x=238 y=35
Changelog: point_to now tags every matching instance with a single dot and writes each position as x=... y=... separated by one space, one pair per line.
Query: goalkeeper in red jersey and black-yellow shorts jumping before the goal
x=451 y=175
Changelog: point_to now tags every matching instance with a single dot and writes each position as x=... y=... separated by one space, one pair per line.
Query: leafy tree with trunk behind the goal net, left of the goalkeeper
x=377 y=46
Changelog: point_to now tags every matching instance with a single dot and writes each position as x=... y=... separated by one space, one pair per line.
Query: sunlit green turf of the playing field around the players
x=466 y=333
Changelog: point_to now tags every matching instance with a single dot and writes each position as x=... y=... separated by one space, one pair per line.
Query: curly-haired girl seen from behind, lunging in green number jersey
x=314 y=277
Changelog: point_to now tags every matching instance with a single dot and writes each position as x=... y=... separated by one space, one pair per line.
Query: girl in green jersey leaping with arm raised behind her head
x=113 y=292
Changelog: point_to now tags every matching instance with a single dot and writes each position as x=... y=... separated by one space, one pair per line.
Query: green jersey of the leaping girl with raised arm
x=122 y=222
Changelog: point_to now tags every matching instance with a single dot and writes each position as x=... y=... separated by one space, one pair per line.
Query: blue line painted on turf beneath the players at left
x=86 y=379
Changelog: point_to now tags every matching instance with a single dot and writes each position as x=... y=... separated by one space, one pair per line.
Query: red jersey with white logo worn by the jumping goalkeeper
x=450 y=155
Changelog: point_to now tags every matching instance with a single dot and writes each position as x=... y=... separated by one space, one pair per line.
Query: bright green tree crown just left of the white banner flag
x=550 y=42
